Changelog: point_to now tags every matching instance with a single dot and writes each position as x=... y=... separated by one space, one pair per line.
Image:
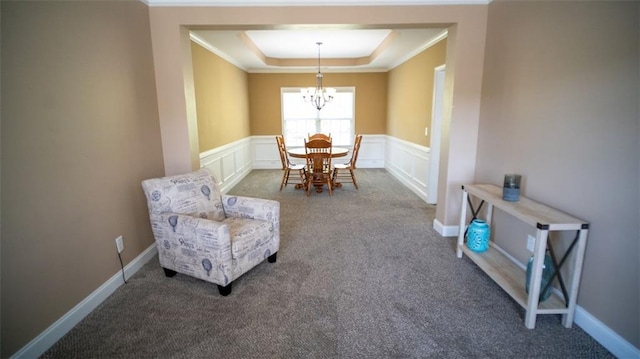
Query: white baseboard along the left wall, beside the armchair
x=57 y=330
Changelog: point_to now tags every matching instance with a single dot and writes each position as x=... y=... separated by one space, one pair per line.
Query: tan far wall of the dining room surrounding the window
x=265 y=104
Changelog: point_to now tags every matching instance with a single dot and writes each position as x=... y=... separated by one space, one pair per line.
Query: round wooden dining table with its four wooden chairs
x=323 y=166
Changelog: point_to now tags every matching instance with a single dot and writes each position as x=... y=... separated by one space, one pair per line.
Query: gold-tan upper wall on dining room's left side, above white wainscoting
x=222 y=103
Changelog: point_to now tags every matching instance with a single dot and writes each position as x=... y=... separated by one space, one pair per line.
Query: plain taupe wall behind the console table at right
x=560 y=106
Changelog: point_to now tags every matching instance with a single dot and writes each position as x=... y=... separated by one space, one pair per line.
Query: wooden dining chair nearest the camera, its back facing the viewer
x=318 y=156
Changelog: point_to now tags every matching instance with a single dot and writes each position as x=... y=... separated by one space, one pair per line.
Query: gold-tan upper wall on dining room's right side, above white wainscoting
x=411 y=95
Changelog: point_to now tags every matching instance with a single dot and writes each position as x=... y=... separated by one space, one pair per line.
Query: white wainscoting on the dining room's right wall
x=409 y=163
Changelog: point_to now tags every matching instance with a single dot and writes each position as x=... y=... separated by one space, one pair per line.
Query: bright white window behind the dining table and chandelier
x=300 y=118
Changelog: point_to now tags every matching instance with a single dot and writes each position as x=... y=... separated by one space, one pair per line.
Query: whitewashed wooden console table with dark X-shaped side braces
x=510 y=276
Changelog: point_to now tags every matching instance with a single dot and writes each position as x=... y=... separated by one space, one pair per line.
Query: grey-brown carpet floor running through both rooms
x=361 y=274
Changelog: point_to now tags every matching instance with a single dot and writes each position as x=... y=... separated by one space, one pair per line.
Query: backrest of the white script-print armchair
x=196 y=194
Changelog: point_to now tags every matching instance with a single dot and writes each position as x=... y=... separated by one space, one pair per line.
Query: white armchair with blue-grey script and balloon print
x=204 y=234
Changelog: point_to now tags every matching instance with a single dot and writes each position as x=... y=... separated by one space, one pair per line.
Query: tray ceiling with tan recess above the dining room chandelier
x=296 y=50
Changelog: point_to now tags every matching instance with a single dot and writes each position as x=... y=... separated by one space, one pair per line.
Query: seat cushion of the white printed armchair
x=247 y=234
